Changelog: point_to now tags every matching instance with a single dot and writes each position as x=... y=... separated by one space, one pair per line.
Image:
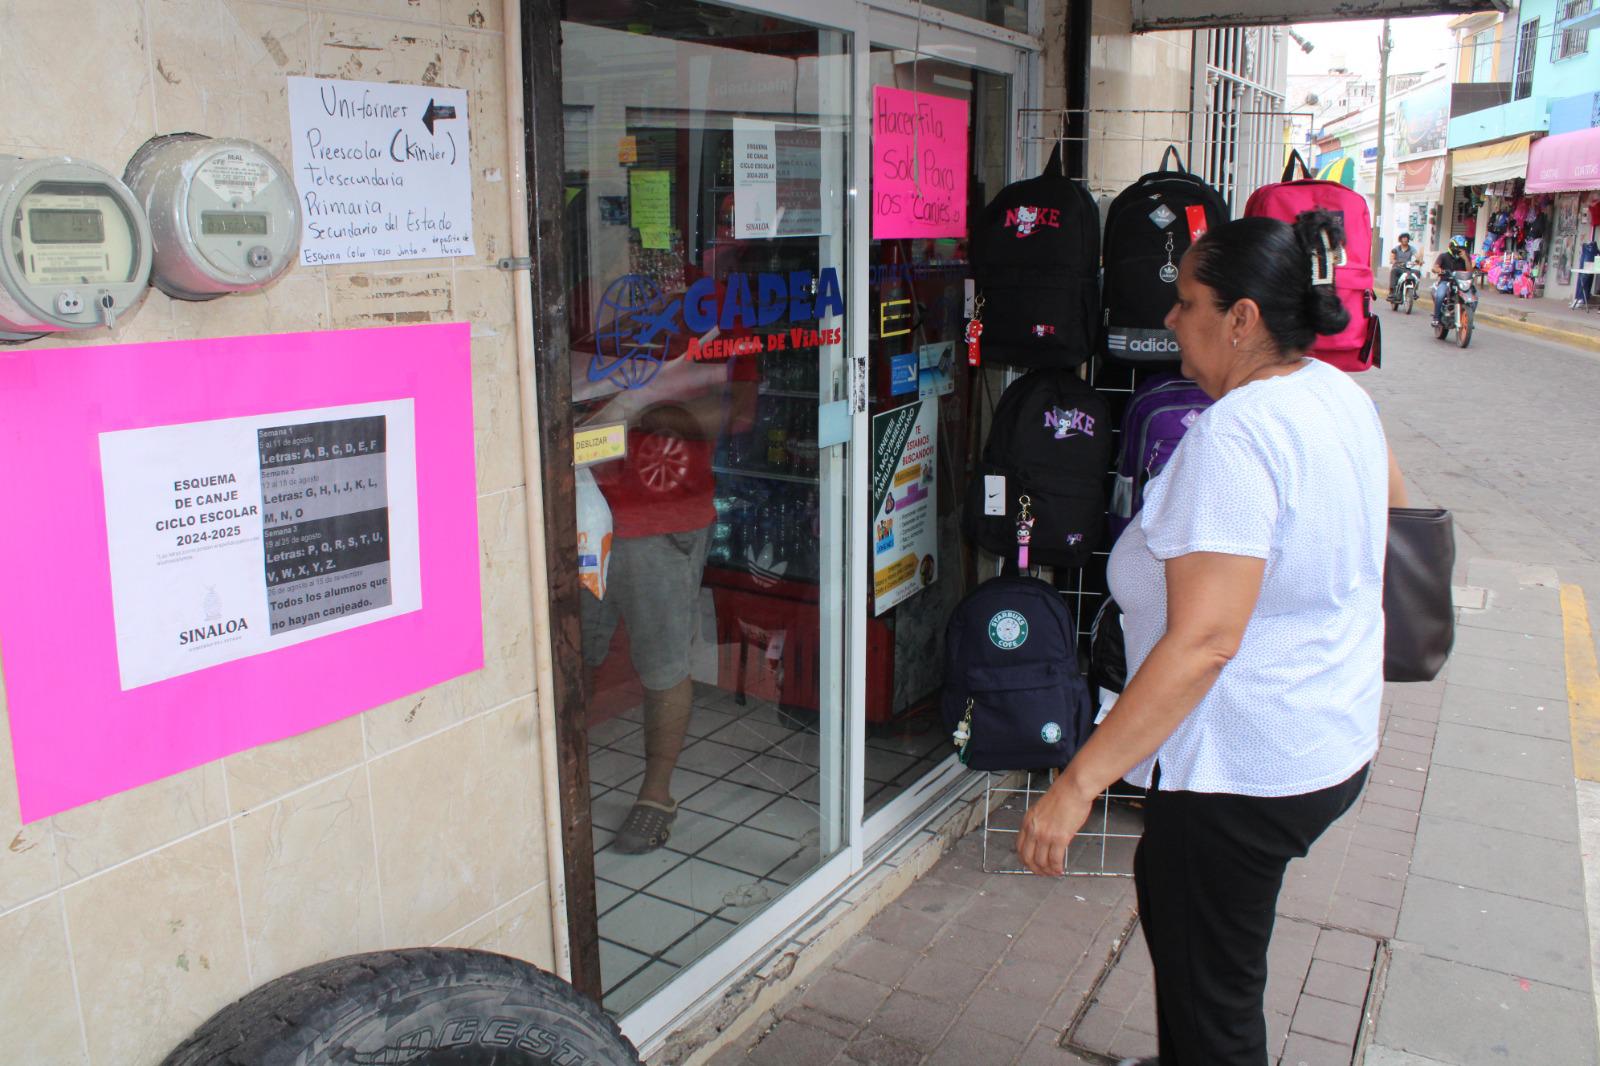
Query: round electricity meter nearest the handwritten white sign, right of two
x=225 y=215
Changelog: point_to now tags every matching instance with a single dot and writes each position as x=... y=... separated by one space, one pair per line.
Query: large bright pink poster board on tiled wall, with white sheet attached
x=225 y=543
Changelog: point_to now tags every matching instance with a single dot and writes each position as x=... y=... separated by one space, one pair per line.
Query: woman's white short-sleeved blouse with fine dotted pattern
x=1295 y=471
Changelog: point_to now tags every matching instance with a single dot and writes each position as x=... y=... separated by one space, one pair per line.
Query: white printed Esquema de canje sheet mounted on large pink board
x=255 y=534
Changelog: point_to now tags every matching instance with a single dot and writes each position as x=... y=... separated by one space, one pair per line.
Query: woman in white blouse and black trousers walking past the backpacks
x=1252 y=593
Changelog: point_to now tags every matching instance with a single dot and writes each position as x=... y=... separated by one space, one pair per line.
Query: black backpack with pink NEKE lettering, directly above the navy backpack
x=1046 y=460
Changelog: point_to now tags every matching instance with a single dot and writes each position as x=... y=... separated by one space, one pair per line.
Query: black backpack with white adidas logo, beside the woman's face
x=1150 y=228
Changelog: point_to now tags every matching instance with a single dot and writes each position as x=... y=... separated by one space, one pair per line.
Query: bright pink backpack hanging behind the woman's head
x=1359 y=347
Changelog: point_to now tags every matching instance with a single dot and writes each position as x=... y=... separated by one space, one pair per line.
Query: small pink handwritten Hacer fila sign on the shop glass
x=919 y=166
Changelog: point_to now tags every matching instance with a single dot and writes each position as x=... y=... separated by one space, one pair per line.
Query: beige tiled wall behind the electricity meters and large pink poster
x=127 y=923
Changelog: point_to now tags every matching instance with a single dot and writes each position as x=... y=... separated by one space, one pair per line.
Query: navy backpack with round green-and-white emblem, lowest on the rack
x=1014 y=695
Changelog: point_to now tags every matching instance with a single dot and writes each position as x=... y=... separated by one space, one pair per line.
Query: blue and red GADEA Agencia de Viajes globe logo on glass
x=636 y=323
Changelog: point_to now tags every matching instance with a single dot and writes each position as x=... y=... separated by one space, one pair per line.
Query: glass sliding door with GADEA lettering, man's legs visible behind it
x=708 y=236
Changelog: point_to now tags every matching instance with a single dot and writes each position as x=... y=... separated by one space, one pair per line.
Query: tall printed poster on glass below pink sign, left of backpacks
x=905 y=503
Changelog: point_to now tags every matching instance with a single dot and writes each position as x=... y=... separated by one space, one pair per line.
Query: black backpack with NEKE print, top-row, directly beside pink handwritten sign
x=1036 y=257
